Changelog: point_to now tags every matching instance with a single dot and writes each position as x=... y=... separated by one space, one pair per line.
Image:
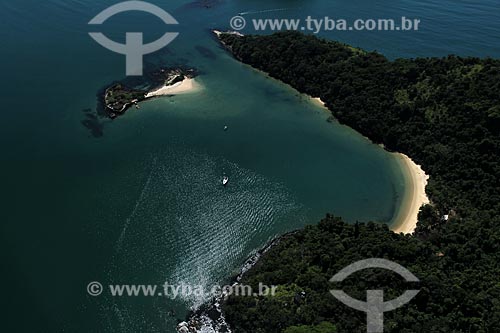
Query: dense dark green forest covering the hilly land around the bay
x=442 y=112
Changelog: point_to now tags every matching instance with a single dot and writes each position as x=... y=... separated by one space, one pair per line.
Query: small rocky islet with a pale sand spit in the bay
x=119 y=97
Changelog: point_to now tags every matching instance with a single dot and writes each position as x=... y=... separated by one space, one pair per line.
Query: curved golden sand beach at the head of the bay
x=414 y=197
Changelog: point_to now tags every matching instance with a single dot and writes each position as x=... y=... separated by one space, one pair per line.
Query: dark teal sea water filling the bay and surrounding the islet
x=138 y=200
